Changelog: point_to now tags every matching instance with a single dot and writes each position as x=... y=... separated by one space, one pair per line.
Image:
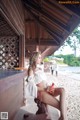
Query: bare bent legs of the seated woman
x=50 y=100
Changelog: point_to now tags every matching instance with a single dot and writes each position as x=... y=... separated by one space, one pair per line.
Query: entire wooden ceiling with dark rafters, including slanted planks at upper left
x=47 y=23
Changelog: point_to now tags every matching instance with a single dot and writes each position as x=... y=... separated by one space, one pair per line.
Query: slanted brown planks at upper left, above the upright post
x=12 y=14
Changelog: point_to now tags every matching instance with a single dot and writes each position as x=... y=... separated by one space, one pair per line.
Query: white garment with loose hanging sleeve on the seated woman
x=38 y=77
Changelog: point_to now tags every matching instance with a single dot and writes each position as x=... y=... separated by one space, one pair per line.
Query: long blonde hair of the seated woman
x=32 y=61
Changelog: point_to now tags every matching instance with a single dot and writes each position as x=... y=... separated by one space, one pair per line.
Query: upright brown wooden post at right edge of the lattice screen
x=21 y=51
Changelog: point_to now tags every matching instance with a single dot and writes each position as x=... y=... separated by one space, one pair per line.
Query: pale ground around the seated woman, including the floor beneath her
x=72 y=87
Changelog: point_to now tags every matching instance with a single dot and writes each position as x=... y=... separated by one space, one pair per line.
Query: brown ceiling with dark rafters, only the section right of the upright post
x=49 y=23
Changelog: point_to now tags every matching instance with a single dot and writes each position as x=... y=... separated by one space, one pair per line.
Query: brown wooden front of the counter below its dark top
x=11 y=94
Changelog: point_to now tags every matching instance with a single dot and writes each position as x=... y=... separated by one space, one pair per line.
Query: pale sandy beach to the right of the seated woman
x=72 y=87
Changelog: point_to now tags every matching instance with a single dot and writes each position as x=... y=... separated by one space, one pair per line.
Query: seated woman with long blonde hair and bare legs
x=44 y=92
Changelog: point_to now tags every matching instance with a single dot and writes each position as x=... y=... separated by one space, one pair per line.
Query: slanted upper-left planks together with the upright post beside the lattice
x=13 y=12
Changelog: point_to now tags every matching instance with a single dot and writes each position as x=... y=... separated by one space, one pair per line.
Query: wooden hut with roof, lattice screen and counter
x=26 y=26
